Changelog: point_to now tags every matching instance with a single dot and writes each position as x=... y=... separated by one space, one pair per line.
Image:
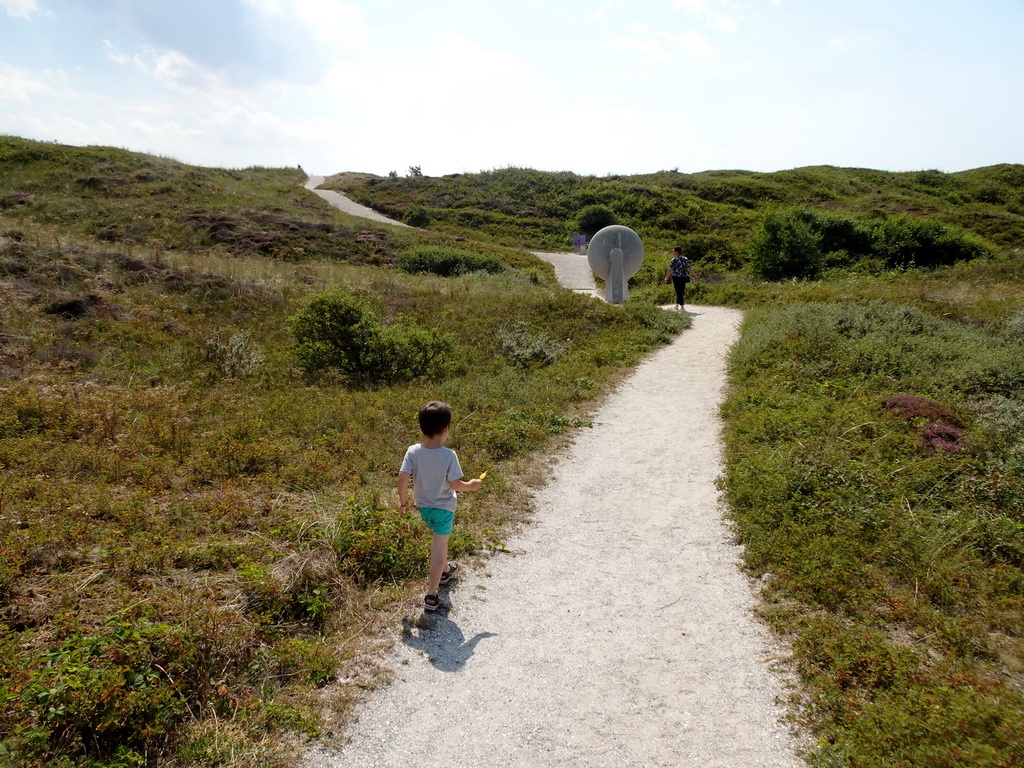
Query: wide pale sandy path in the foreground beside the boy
x=621 y=632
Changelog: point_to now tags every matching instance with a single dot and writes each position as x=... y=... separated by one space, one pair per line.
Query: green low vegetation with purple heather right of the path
x=893 y=536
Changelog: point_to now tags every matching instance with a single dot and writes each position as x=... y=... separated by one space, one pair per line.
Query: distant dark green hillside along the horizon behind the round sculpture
x=538 y=209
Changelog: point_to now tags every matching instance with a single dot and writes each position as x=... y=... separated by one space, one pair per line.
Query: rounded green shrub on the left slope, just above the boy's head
x=340 y=331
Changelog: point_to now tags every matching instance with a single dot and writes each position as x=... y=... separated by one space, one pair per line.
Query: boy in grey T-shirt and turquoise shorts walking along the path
x=438 y=478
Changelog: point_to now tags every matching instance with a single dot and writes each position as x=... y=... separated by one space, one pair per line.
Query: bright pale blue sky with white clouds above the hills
x=589 y=87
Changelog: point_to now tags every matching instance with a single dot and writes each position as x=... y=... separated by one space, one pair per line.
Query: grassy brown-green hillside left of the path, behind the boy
x=197 y=525
